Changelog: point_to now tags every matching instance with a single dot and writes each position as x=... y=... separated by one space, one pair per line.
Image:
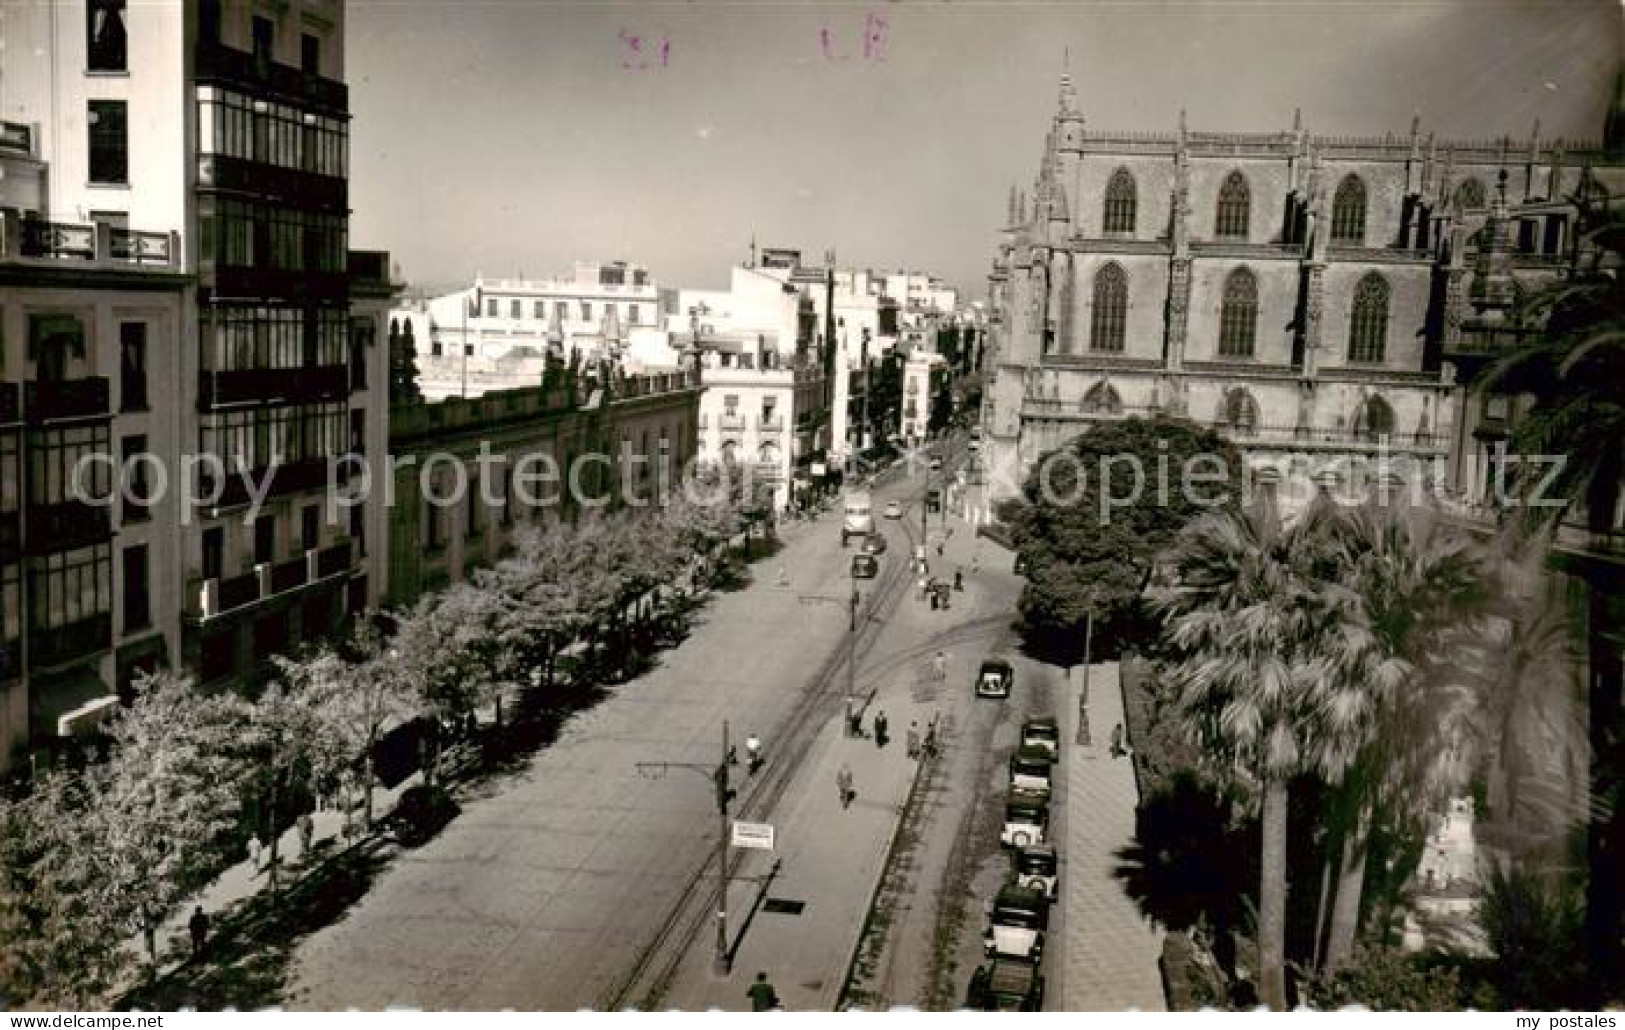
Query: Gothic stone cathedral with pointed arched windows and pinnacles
x=1312 y=298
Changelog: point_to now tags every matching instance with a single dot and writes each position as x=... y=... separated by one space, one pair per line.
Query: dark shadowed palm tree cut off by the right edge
x=1575 y=371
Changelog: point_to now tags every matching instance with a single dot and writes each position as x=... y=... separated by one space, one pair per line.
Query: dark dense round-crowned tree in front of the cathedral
x=1085 y=556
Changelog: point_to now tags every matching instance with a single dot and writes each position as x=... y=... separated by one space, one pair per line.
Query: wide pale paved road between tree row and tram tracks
x=545 y=891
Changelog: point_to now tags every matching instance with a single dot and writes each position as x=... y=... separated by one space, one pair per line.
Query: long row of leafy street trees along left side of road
x=93 y=859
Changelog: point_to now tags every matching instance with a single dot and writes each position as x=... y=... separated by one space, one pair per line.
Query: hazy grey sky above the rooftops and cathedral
x=519 y=137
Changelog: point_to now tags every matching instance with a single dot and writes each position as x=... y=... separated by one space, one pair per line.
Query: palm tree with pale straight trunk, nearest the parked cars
x=1249 y=626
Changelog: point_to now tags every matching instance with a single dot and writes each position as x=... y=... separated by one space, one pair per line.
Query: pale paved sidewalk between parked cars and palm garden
x=1111 y=950
